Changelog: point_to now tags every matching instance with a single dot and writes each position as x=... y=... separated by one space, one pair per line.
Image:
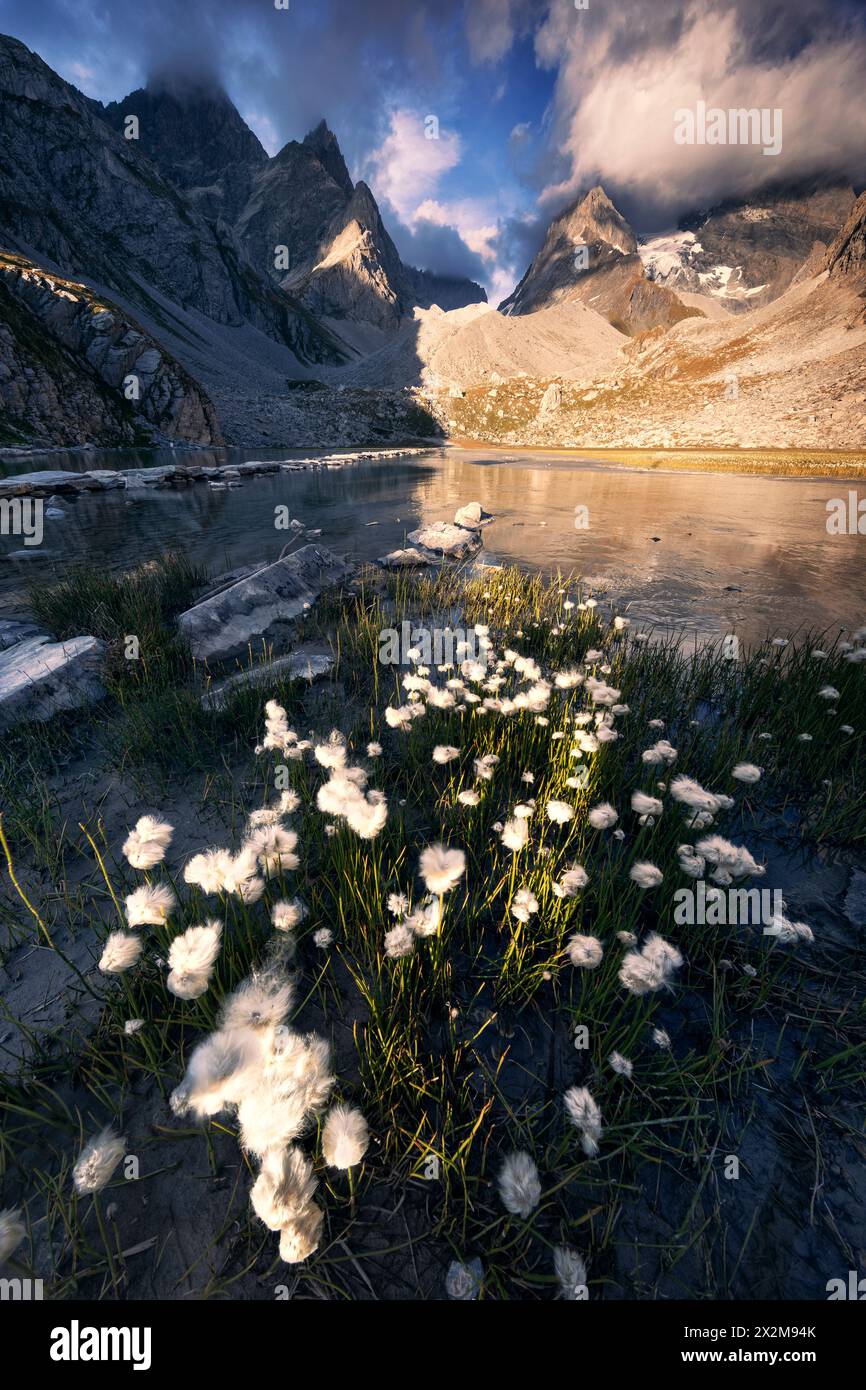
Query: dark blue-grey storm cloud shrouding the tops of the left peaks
x=291 y=65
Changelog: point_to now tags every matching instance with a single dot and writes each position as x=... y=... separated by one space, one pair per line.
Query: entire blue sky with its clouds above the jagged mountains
x=534 y=99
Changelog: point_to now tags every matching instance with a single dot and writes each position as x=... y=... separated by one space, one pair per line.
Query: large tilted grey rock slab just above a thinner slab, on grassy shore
x=261 y=608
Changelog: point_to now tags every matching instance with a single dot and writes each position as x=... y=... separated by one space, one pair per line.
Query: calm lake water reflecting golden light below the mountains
x=707 y=553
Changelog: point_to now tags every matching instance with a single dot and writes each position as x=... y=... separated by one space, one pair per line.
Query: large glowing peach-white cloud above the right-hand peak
x=615 y=106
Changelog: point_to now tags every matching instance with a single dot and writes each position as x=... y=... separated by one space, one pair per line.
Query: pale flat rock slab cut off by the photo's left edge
x=40 y=678
